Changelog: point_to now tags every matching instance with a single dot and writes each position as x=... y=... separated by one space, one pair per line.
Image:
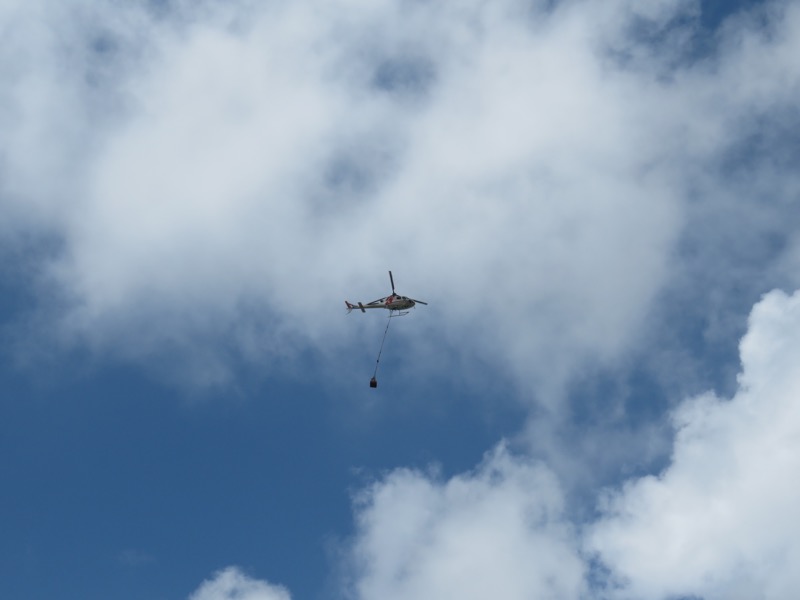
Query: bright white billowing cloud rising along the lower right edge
x=721 y=521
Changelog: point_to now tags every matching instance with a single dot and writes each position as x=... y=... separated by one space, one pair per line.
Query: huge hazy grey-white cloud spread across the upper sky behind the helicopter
x=220 y=178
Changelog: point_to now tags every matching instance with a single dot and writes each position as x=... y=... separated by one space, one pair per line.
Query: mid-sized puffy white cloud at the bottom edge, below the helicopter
x=497 y=532
